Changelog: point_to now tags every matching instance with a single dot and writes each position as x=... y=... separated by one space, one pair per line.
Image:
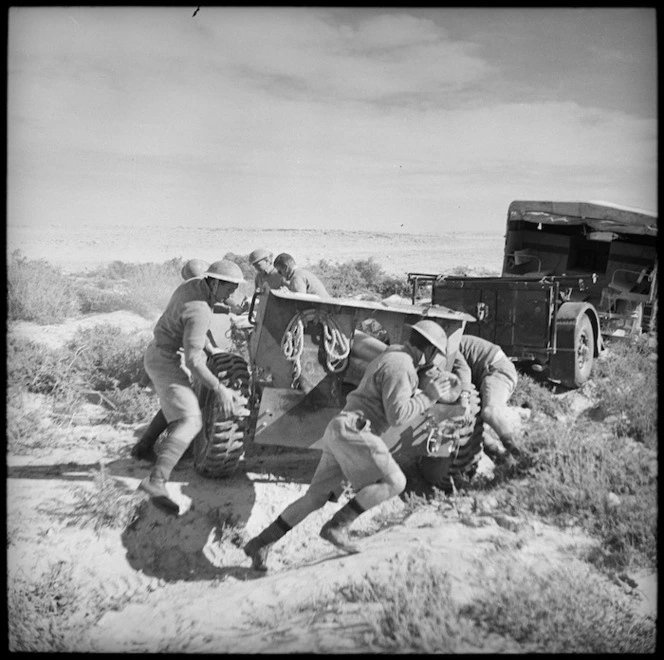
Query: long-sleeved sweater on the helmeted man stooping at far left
x=184 y=324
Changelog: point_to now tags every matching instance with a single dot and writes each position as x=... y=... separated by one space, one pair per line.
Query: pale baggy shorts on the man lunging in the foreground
x=351 y=452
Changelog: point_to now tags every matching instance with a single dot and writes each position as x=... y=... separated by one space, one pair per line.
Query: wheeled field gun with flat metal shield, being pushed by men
x=305 y=354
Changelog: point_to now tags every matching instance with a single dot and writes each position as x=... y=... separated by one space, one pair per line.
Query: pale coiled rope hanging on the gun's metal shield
x=336 y=344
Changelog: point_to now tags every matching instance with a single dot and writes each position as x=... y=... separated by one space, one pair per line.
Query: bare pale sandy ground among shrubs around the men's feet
x=179 y=585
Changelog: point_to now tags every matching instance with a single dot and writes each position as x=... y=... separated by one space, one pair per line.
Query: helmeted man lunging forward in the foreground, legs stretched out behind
x=353 y=449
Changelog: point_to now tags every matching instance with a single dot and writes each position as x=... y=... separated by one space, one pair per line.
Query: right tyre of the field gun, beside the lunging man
x=440 y=471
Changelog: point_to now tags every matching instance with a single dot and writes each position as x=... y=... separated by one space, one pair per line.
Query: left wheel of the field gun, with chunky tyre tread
x=219 y=447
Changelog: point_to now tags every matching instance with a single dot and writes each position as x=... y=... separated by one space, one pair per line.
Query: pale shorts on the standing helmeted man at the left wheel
x=176 y=396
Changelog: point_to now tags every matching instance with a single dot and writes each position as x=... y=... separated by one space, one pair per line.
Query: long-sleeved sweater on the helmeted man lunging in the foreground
x=387 y=393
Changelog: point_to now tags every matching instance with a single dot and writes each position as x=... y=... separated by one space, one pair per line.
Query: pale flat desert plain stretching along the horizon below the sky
x=85 y=247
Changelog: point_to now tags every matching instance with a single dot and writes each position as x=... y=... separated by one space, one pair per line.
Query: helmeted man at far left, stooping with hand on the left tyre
x=184 y=325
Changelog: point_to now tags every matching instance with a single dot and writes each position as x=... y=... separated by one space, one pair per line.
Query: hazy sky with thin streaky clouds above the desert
x=382 y=119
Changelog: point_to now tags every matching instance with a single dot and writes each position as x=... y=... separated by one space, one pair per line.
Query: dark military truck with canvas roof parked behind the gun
x=574 y=274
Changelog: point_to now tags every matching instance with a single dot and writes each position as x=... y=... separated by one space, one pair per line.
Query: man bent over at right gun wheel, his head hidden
x=494 y=375
